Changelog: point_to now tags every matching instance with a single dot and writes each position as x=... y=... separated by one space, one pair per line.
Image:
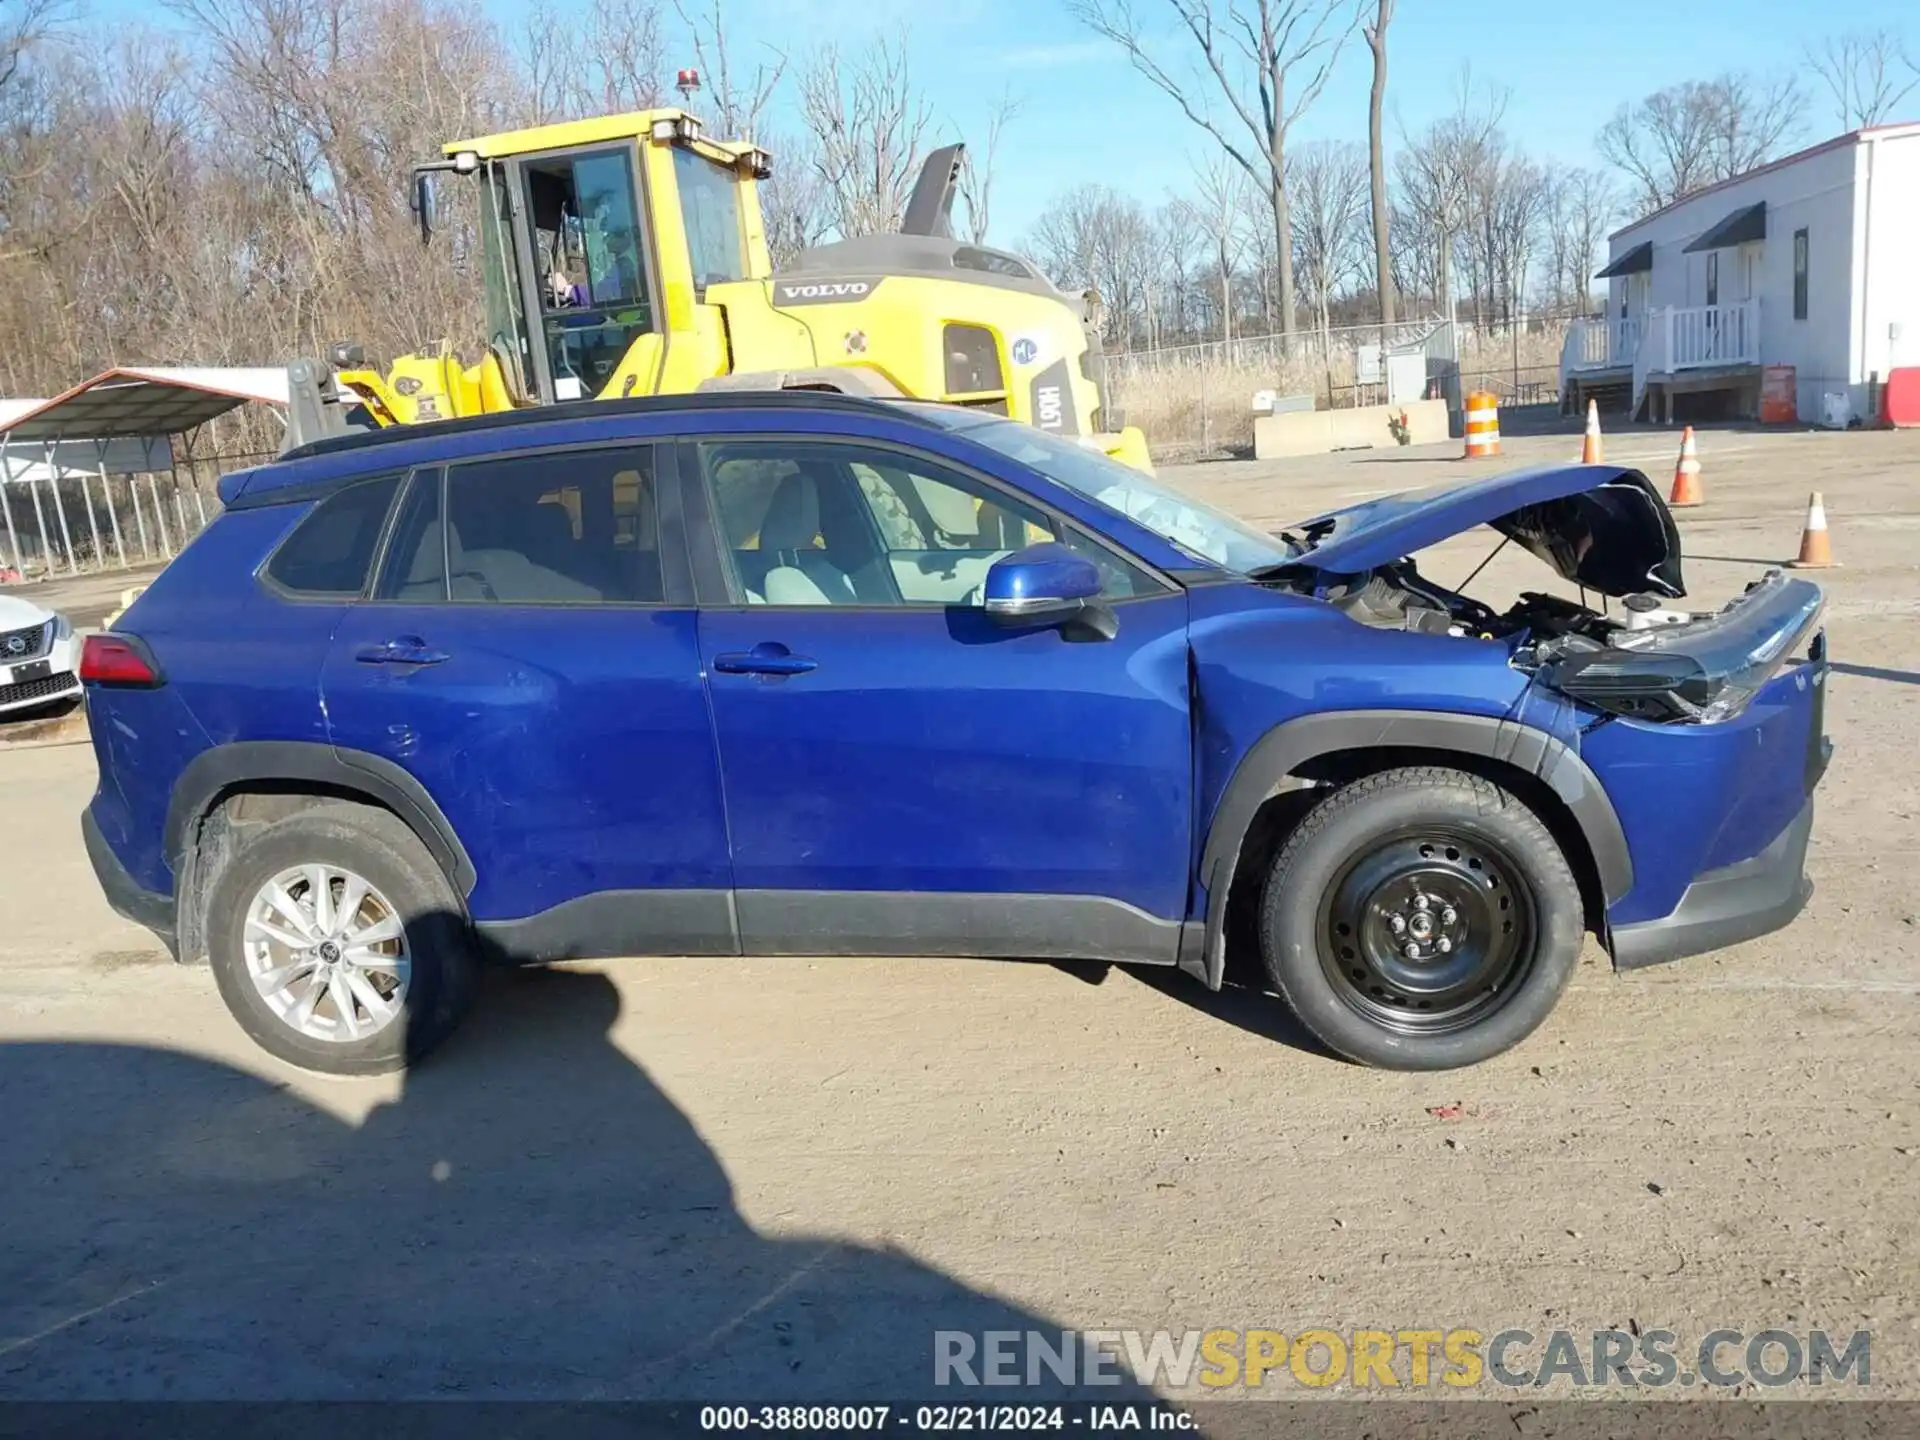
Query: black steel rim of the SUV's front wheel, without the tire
x=1428 y=932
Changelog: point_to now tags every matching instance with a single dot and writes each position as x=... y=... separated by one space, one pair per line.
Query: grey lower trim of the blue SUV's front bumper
x=1725 y=907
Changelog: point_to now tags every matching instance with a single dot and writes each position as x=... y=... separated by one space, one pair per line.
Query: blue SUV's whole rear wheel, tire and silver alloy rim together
x=339 y=944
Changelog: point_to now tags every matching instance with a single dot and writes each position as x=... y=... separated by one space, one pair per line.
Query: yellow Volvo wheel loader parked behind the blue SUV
x=625 y=256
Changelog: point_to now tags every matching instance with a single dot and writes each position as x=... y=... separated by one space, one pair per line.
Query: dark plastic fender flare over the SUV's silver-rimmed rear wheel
x=295 y=763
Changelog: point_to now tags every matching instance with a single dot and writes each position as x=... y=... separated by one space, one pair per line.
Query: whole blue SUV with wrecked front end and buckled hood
x=813 y=675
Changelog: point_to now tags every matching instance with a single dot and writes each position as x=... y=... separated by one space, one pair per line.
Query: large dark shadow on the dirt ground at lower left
x=531 y=1220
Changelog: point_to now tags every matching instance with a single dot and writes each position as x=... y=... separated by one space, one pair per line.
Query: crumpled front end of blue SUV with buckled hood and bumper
x=1704 y=729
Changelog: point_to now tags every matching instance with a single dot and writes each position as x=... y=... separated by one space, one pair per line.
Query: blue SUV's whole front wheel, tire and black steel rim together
x=1422 y=921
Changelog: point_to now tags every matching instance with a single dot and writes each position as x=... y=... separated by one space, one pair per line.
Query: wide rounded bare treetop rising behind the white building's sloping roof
x=1691 y=135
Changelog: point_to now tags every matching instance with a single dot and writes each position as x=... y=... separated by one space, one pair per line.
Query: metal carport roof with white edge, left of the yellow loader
x=145 y=402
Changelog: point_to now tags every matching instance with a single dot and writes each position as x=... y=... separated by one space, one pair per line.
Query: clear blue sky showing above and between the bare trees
x=1090 y=118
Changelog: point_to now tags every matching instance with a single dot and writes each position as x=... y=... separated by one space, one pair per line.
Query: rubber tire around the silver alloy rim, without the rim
x=379 y=848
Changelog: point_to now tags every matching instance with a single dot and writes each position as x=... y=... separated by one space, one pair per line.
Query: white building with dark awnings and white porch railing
x=1812 y=262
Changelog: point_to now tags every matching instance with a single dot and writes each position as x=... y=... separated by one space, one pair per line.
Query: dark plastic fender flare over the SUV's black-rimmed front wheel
x=1270 y=765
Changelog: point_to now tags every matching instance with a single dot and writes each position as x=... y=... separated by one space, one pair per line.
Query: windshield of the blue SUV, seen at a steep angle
x=1197 y=529
